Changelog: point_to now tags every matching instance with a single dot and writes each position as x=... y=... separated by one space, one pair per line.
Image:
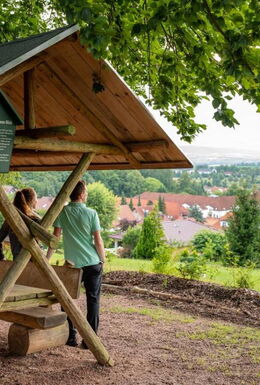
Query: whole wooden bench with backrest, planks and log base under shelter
x=36 y=328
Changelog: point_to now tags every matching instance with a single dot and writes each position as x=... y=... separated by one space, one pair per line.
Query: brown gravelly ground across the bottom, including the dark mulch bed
x=211 y=337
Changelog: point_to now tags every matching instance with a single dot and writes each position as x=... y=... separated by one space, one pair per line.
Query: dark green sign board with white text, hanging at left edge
x=8 y=121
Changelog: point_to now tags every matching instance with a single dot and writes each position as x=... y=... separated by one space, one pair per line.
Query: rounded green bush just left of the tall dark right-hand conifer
x=211 y=244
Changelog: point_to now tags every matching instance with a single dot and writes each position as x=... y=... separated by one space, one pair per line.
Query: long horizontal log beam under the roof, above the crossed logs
x=26 y=143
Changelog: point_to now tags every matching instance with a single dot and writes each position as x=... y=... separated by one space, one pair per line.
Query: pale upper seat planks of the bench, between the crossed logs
x=21 y=292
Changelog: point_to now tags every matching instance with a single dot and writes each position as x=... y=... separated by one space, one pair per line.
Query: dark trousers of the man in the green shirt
x=92 y=278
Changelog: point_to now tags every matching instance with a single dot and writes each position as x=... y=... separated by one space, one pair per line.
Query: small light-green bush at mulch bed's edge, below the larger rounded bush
x=192 y=265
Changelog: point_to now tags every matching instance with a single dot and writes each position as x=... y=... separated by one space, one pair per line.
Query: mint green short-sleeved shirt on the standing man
x=78 y=224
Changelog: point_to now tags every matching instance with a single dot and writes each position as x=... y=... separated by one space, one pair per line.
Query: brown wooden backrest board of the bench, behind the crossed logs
x=33 y=277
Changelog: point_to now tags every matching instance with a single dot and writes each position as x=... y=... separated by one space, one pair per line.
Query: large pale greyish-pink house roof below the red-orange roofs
x=183 y=230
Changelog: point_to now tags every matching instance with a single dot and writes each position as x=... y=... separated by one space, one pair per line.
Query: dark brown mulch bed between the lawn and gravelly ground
x=240 y=306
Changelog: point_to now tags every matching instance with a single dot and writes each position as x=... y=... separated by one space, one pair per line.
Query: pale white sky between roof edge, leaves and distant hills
x=245 y=137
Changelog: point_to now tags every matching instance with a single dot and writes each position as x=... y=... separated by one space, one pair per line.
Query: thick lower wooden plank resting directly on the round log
x=35 y=317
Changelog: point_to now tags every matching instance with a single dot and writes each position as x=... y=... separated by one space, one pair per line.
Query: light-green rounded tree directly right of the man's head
x=104 y=202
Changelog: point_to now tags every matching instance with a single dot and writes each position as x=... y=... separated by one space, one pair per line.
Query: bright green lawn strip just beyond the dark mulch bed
x=215 y=272
